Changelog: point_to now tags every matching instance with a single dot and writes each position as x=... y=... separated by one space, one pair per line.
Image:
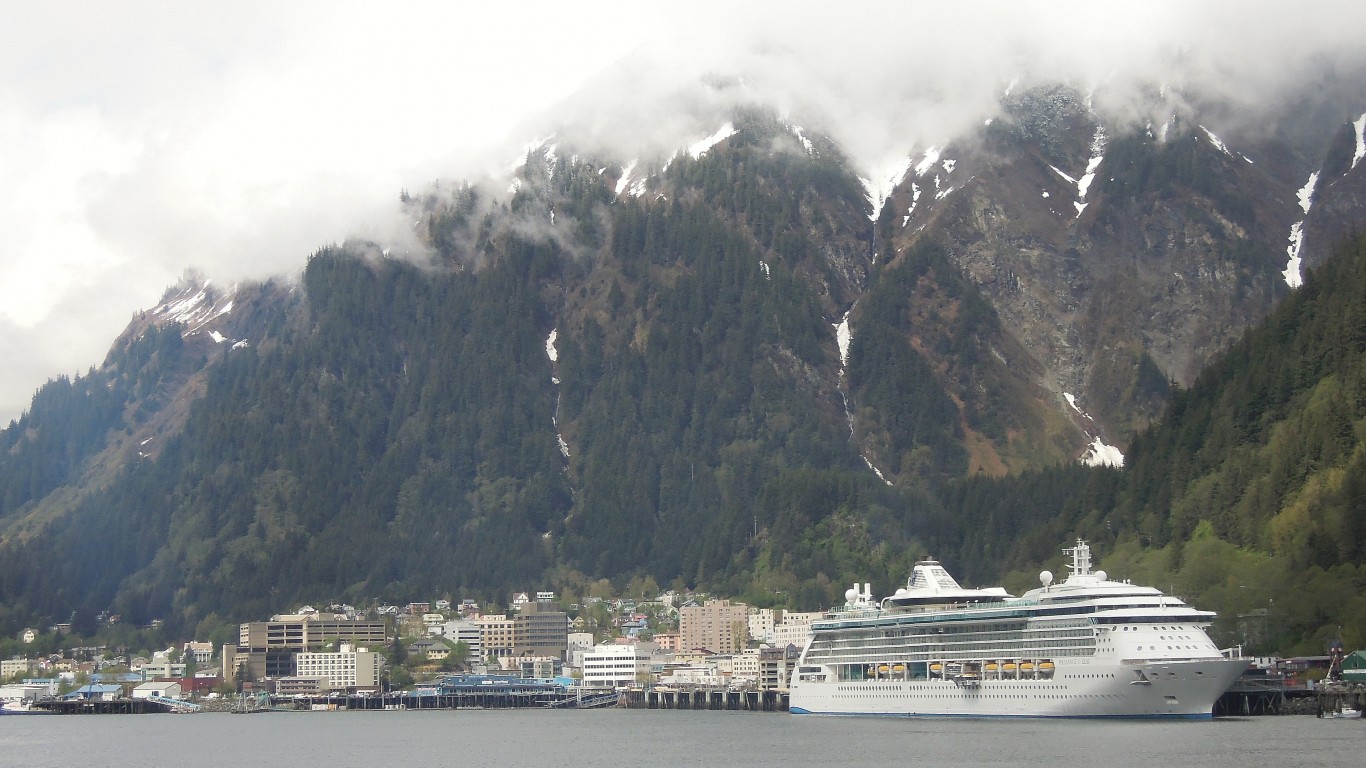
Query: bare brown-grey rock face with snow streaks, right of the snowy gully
x=1121 y=258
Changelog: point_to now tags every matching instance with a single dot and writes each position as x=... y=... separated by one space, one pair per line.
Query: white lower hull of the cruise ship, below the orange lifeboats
x=1078 y=689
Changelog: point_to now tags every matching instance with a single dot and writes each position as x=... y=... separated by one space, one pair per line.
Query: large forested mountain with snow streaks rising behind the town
x=742 y=367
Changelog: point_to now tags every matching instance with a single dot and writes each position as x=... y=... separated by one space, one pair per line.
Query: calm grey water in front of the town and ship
x=665 y=740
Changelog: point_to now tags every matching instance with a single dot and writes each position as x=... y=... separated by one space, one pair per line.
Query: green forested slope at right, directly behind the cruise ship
x=1248 y=497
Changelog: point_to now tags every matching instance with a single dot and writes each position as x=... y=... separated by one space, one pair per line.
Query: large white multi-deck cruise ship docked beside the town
x=1085 y=648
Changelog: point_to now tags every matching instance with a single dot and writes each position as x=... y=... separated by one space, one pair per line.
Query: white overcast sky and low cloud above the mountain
x=140 y=139
